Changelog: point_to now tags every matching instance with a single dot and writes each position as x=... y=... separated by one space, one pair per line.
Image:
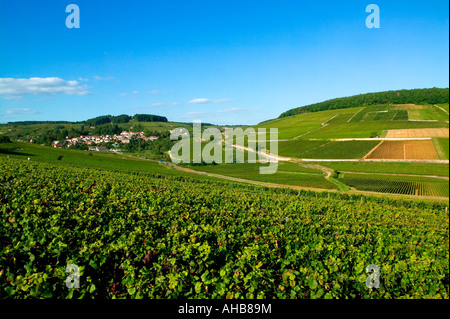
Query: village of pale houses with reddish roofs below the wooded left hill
x=123 y=137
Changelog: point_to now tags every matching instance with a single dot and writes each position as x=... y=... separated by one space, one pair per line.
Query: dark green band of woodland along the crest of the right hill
x=415 y=96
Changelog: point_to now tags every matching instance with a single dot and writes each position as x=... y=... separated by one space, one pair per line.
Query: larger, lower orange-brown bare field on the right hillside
x=409 y=150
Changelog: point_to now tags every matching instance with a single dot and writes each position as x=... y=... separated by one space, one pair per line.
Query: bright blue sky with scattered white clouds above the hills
x=223 y=62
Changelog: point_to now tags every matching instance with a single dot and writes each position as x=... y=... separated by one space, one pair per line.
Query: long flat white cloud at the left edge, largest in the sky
x=41 y=86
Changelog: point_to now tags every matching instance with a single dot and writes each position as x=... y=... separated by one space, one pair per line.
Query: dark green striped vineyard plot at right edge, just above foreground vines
x=429 y=187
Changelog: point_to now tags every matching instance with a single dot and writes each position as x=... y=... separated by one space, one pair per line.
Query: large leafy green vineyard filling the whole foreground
x=144 y=235
